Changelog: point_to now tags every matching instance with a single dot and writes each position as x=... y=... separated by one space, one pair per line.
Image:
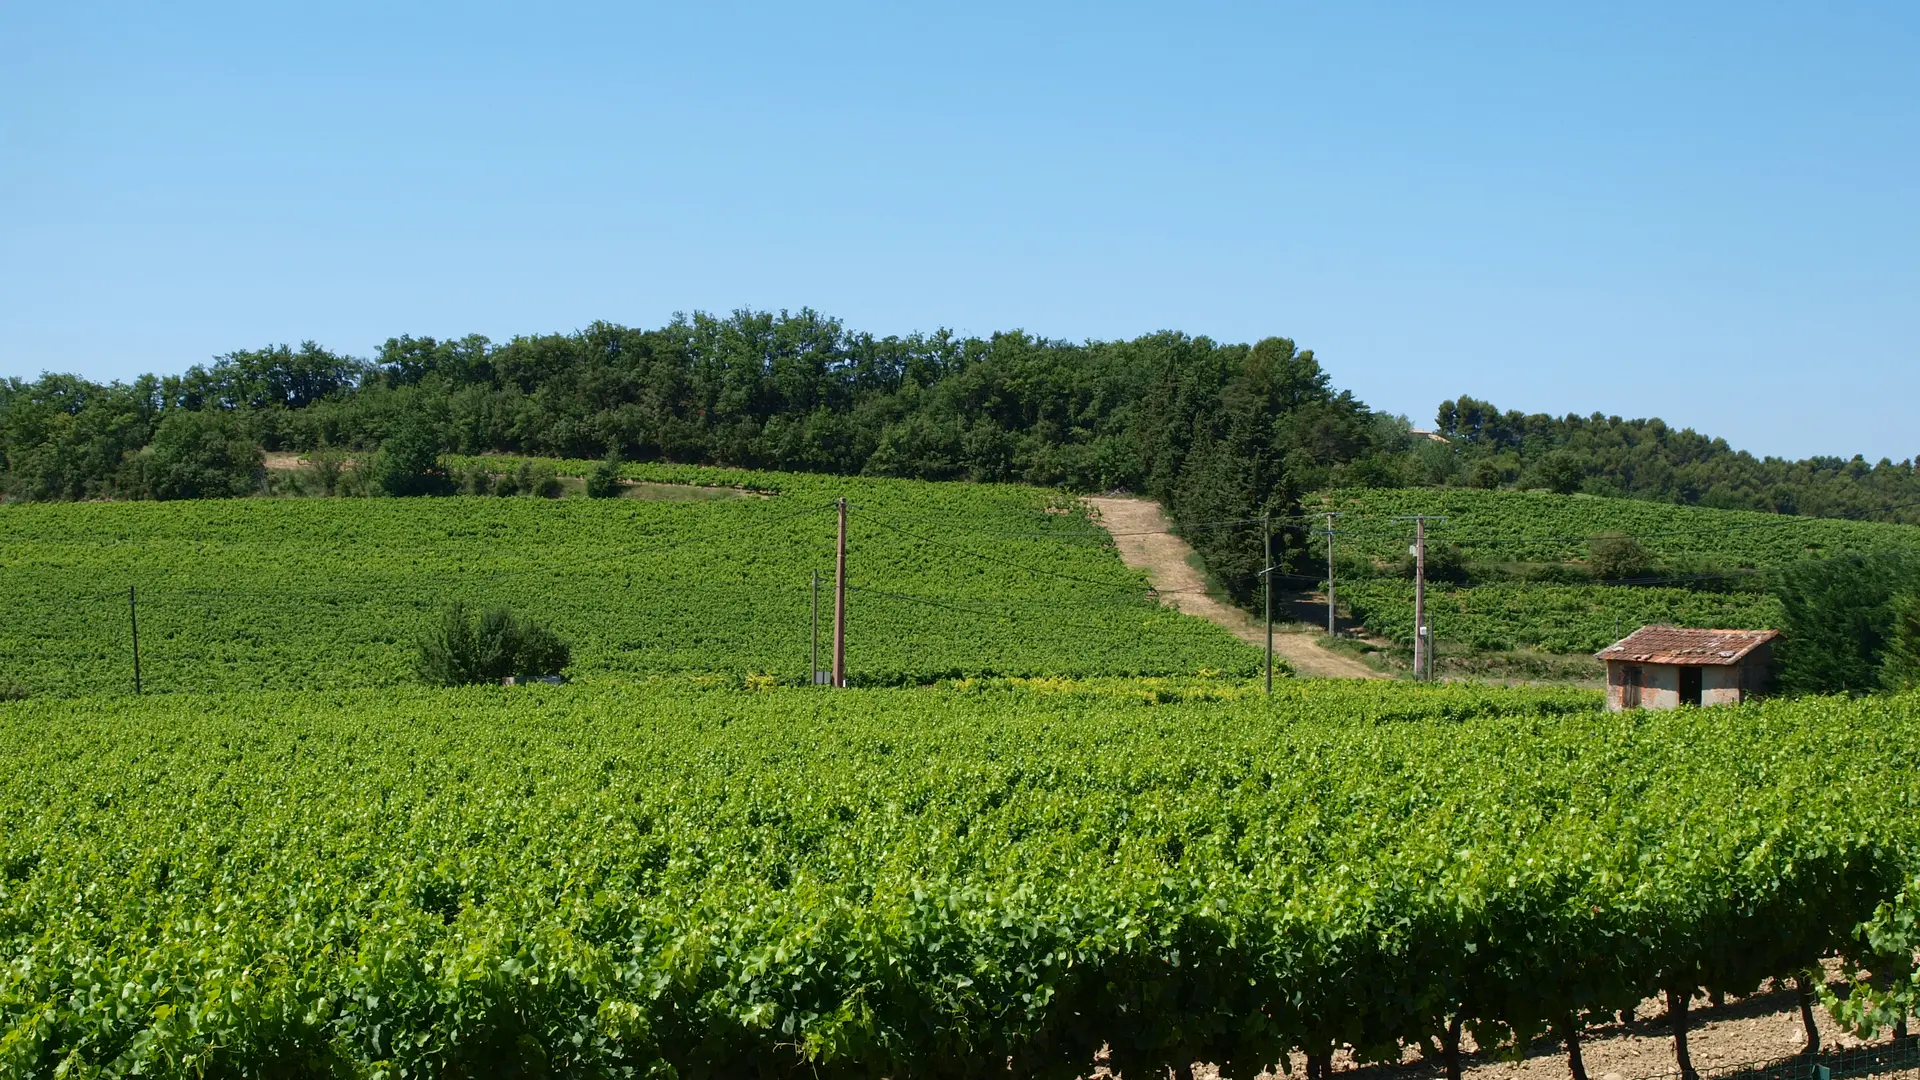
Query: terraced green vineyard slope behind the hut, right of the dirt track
x=1524 y=574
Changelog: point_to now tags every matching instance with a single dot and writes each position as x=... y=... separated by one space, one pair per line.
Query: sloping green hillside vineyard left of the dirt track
x=951 y=581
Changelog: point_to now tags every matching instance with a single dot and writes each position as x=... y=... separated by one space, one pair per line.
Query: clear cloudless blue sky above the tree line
x=1706 y=212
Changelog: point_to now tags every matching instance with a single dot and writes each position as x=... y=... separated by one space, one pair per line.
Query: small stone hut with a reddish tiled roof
x=1666 y=668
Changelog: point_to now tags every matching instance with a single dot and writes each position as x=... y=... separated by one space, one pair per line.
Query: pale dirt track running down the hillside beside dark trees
x=1141 y=533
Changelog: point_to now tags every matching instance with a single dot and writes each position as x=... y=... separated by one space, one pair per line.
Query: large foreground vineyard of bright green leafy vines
x=992 y=879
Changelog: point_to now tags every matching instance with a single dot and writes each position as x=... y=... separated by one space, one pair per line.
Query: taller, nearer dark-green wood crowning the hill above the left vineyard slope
x=1211 y=430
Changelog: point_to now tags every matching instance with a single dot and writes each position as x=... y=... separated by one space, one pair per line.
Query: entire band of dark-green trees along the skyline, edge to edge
x=1216 y=431
